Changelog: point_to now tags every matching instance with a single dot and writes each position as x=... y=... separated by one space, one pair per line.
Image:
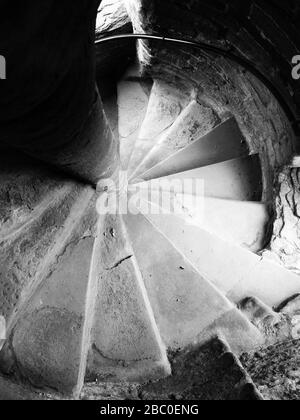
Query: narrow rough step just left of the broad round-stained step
x=28 y=257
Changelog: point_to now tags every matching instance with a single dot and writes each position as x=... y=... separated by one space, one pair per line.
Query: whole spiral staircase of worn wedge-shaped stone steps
x=107 y=298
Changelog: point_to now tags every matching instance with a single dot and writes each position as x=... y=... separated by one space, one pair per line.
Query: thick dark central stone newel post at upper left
x=49 y=105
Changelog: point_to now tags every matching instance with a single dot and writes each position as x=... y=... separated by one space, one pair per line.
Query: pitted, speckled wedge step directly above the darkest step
x=194 y=122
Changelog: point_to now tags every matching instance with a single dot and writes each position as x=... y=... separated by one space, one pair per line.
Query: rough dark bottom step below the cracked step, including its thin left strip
x=207 y=372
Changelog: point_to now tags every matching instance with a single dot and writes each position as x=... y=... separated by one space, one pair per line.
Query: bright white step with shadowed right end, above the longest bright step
x=240 y=222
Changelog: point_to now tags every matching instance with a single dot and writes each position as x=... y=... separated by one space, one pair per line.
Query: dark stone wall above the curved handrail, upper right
x=264 y=32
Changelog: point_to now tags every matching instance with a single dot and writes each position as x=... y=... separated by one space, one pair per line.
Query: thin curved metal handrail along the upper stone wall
x=227 y=53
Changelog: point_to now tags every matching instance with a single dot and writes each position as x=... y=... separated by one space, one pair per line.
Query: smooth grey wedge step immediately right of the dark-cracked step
x=187 y=307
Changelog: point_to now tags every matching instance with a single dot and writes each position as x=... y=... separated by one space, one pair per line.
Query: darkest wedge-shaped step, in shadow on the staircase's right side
x=225 y=142
